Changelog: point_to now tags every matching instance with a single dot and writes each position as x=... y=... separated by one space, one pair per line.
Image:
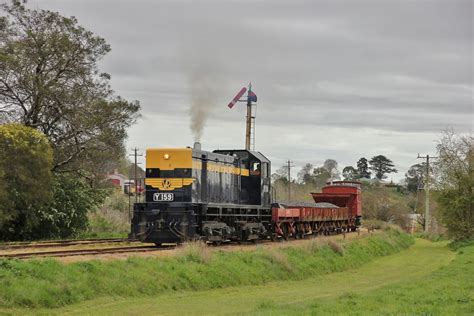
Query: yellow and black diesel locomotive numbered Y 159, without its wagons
x=193 y=194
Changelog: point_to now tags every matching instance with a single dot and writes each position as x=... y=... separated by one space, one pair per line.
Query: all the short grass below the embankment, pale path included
x=368 y=289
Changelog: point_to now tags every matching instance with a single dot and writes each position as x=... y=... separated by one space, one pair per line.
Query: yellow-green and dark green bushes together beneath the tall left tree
x=34 y=203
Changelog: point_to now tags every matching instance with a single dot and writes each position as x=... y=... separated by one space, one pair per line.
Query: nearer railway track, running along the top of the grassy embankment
x=81 y=252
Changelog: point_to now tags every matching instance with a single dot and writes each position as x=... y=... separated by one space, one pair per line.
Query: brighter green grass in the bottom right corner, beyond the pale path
x=447 y=291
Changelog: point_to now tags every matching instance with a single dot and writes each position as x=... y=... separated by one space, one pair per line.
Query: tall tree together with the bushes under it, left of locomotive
x=63 y=127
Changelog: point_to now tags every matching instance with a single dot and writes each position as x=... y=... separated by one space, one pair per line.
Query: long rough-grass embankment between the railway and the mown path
x=49 y=283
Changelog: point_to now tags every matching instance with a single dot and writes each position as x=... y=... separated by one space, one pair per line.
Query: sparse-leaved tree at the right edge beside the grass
x=455 y=184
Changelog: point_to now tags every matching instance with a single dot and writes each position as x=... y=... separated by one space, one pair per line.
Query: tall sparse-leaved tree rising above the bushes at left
x=50 y=81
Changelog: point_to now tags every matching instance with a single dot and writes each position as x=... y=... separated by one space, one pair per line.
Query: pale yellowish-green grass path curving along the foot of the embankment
x=411 y=264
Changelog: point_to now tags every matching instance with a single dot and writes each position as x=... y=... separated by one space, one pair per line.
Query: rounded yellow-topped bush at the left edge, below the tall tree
x=25 y=177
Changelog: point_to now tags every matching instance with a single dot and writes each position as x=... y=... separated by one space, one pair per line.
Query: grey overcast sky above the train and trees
x=334 y=79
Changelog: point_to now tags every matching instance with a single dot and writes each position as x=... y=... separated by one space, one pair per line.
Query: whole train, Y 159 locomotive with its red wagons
x=225 y=195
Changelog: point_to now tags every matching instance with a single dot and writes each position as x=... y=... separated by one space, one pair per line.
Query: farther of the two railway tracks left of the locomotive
x=62 y=243
